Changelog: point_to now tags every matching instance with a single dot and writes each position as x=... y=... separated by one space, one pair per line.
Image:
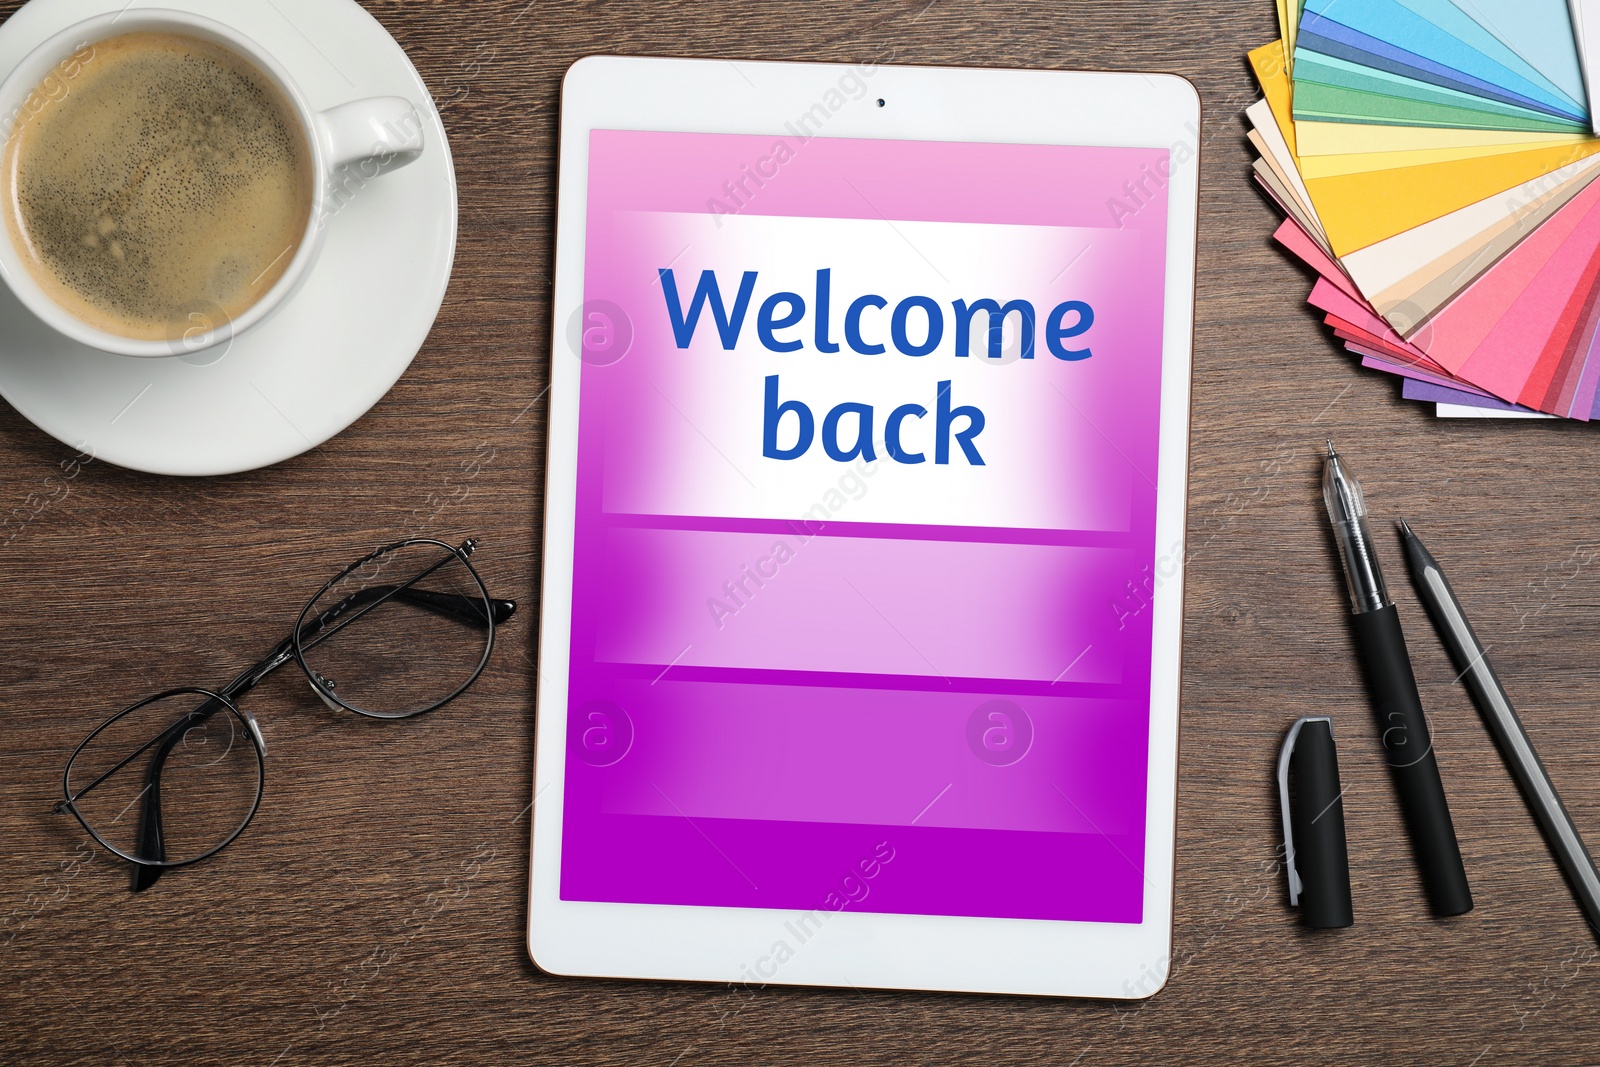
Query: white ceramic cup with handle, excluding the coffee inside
x=350 y=145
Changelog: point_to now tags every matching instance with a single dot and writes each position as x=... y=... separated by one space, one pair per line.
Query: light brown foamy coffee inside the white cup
x=167 y=188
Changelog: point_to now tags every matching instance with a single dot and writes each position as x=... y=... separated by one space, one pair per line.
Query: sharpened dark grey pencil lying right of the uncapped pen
x=1471 y=658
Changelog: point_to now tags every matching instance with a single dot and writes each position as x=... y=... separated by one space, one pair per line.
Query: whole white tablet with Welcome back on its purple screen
x=865 y=527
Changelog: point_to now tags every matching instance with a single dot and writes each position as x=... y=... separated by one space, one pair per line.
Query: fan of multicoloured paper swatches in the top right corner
x=1438 y=162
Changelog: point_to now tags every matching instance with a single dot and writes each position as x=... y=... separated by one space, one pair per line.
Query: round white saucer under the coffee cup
x=327 y=356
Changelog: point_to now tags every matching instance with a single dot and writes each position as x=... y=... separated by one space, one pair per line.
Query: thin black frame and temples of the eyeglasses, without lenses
x=292 y=647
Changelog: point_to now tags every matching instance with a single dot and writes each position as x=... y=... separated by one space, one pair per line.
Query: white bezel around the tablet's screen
x=721 y=945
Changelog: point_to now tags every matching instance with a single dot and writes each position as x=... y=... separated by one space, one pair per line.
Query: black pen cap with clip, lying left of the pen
x=1316 y=857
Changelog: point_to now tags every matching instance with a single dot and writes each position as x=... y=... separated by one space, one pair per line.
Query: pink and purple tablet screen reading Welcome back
x=866 y=526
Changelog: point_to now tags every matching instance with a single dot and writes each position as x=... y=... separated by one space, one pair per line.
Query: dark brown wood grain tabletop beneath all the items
x=375 y=911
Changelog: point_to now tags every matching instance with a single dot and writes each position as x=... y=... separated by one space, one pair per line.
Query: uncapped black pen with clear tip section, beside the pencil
x=1409 y=748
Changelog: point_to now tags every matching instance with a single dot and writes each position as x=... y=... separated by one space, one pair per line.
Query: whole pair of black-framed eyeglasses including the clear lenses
x=180 y=775
